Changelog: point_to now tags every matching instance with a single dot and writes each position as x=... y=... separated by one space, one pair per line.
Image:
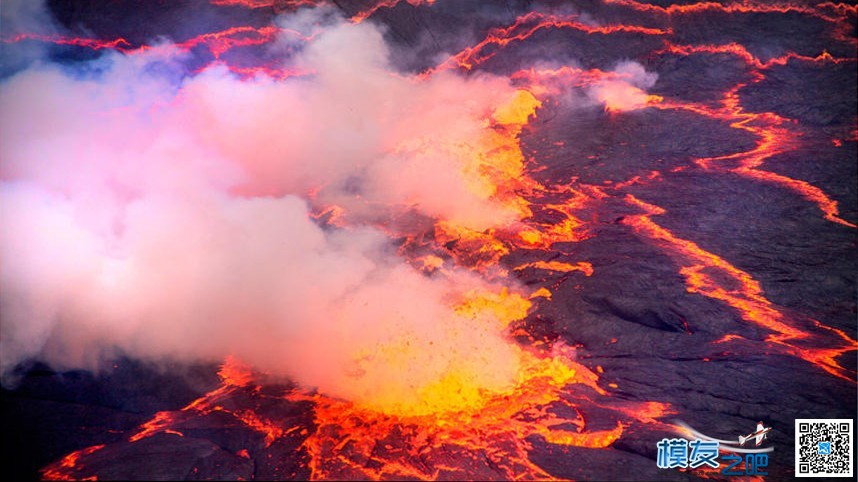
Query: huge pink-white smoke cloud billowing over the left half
x=169 y=218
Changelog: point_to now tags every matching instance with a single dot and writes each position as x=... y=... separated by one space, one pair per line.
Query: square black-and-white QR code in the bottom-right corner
x=823 y=447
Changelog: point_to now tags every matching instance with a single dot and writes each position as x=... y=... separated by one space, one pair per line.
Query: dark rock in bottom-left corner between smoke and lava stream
x=50 y=414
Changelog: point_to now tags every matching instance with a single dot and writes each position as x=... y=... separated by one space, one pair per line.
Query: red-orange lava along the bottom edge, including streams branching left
x=350 y=441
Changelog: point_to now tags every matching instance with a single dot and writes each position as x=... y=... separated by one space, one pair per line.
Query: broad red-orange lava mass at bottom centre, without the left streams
x=349 y=437
